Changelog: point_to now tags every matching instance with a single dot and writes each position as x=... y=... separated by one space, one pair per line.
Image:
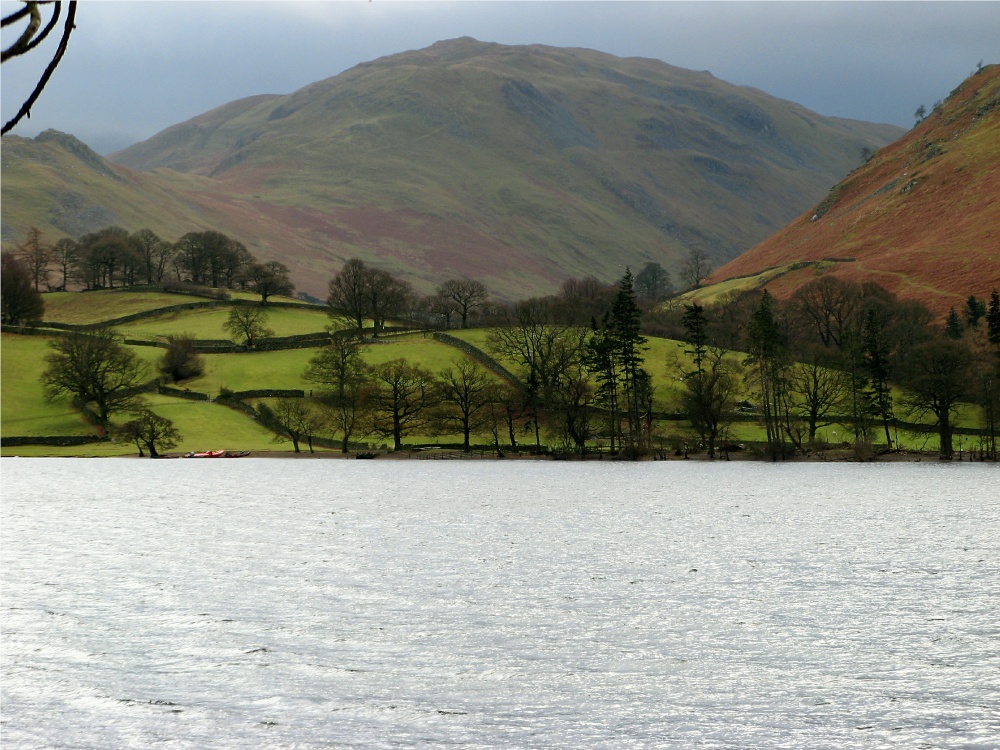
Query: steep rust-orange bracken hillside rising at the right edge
x=921 y=218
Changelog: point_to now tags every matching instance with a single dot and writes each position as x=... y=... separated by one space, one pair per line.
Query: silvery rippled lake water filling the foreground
x=366 y=604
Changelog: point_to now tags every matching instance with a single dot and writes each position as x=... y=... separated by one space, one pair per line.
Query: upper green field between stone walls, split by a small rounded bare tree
x=207 y=323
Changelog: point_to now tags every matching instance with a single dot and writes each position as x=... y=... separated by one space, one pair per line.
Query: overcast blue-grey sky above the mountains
x=134 y=68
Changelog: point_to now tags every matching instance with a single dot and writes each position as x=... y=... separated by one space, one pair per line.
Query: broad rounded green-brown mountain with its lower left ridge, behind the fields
x=519 y=166
